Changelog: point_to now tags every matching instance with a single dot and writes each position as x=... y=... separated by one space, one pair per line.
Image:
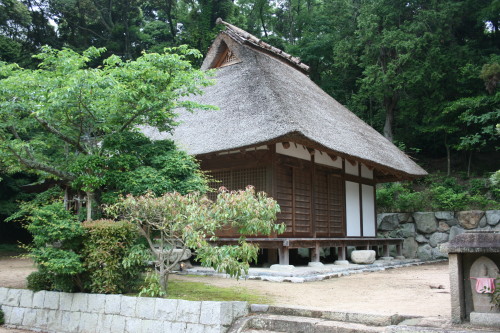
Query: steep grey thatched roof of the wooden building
x=264 y=97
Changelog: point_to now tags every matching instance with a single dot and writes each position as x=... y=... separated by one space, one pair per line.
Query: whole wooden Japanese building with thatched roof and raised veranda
x=279 y=131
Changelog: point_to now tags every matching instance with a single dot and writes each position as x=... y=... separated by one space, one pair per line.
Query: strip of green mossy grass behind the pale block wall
x=199 y=291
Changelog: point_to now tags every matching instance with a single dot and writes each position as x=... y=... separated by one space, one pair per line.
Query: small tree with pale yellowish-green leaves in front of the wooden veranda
x=172 y=223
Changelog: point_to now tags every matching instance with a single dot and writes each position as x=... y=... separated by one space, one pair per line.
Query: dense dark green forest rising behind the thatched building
x=424 y=73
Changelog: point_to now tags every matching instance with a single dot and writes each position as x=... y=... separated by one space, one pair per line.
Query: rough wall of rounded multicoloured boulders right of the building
x=427 y=234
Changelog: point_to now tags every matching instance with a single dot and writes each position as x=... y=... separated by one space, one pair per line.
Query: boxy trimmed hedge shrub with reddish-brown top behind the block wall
x=113 y=259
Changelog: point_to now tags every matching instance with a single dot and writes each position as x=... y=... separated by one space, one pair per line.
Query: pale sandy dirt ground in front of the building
x=408 y=290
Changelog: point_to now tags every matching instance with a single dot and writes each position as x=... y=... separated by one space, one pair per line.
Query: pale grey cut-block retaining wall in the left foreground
x=50 y=311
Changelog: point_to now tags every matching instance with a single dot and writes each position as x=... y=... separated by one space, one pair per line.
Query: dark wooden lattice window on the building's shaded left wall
x=238 y=179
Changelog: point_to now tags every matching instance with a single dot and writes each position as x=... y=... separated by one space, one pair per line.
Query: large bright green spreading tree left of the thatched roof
x=71 y=122
